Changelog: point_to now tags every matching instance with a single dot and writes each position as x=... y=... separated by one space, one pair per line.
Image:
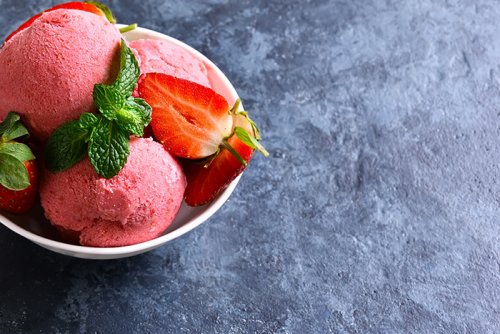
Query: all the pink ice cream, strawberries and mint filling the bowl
x=88 y=97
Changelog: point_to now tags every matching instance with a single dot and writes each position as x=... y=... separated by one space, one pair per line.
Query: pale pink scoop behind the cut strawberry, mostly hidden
x=160 y=56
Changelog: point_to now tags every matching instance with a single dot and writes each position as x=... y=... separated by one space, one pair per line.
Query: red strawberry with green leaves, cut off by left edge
x=18 y=170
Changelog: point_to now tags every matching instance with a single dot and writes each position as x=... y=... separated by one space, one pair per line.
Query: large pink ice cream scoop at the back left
x=48 y=70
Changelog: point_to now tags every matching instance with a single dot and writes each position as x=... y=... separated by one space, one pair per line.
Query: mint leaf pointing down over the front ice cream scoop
x=109 y=148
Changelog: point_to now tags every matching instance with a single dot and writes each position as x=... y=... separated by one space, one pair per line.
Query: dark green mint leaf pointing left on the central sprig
x=66 y=146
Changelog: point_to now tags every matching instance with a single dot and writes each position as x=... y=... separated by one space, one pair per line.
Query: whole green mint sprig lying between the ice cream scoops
x=103 y=136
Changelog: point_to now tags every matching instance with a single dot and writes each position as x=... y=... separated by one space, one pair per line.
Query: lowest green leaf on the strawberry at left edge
x=13 y=173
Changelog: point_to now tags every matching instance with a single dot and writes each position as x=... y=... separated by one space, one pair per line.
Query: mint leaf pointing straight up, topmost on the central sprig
x=129 y=72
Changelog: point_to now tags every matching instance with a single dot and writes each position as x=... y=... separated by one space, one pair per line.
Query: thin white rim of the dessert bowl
x=122 y=251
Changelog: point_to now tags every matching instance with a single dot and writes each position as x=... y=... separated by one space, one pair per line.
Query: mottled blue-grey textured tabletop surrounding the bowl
x=377 y=212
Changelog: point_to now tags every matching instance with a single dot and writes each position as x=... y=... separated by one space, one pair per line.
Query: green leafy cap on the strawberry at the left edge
x=13 y=155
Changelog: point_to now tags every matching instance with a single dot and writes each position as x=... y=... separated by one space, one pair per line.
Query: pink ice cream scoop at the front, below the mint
x=136 y=205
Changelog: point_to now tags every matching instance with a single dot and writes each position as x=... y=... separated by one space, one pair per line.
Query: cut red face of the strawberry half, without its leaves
x=190 y=120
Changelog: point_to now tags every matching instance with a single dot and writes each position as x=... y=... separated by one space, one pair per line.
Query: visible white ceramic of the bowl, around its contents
x=36 y=228
